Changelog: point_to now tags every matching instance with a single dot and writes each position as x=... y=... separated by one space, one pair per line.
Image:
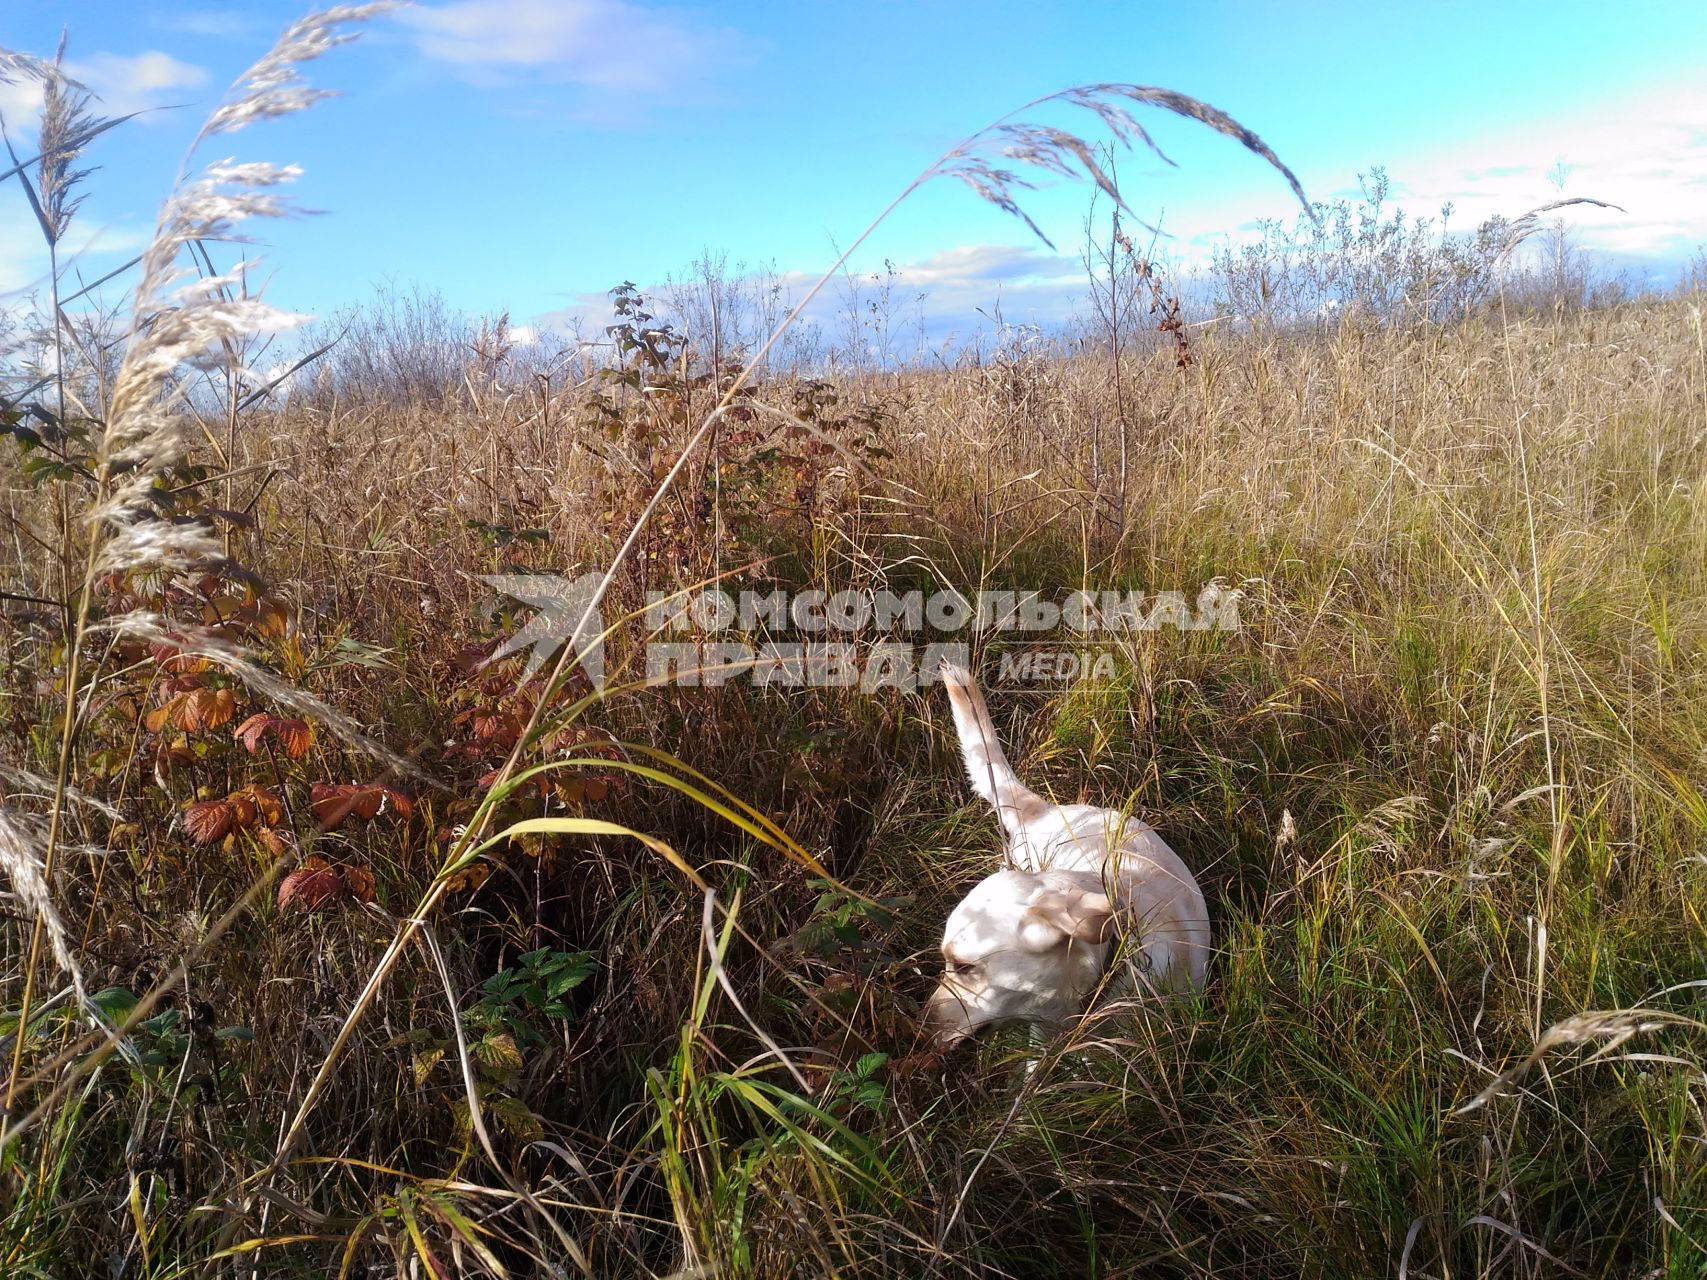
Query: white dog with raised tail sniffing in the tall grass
x=1032 y=943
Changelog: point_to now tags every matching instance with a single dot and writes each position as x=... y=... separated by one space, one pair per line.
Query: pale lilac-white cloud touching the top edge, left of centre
x=593 y=44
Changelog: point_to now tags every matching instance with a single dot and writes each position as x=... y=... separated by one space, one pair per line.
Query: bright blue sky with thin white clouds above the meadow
x=530 y=154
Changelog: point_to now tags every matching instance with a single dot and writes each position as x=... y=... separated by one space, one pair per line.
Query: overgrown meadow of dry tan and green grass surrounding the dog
x=335 y=943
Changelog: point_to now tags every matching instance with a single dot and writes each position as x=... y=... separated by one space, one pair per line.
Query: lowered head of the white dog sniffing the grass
x=1022 y=946
